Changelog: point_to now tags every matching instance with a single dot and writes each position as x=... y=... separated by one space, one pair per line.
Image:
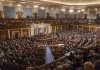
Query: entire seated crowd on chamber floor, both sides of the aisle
x=83 y=47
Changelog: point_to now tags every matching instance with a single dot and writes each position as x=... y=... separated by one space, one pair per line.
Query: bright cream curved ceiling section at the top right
x=74 y=2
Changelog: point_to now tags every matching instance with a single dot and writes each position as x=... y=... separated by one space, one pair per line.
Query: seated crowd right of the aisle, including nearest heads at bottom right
x=84 y=48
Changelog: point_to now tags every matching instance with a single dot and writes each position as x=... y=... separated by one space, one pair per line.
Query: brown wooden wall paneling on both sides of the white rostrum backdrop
x=10 y=33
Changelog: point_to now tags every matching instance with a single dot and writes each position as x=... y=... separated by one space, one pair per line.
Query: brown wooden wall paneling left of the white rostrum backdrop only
x=11 y=33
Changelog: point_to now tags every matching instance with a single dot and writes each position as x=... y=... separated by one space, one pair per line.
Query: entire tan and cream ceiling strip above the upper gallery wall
x=54 y=3
